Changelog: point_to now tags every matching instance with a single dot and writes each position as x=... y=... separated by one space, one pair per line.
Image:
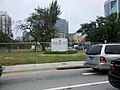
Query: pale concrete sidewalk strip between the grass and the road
x=32 y=67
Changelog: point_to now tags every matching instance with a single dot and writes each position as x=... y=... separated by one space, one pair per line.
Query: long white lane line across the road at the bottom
x=80 y=85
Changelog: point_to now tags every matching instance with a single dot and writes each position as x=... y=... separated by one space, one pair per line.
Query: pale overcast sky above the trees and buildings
x=76 y=12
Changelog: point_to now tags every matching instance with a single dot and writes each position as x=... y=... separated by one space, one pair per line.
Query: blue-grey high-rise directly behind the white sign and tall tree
x=62 y=27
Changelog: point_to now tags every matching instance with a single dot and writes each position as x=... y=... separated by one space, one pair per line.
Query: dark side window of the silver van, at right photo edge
x=112 y=49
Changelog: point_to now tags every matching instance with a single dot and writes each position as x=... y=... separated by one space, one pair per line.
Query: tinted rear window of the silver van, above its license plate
x=94 y=50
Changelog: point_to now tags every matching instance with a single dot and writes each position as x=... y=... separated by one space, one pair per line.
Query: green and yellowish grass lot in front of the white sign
x=29 y=57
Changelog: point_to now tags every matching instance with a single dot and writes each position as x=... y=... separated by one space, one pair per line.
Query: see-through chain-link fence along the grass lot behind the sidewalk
x=27 y=53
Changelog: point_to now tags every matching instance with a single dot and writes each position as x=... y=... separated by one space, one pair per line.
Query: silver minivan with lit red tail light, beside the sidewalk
x=99 y=56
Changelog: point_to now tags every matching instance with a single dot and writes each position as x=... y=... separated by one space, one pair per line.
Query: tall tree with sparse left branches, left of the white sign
x=42 y=23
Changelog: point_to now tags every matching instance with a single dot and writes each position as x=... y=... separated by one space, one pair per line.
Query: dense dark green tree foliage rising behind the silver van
x=104 y=28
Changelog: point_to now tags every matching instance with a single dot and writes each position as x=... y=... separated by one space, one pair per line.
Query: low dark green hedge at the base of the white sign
x=61 y=52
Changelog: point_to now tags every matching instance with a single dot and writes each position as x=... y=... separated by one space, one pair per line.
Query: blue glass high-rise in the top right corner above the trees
x=110 y=6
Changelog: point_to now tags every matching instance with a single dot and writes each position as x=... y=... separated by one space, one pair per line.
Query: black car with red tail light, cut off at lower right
x=114 y=73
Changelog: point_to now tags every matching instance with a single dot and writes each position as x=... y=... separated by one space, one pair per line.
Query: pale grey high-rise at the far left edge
x=5 y=23
